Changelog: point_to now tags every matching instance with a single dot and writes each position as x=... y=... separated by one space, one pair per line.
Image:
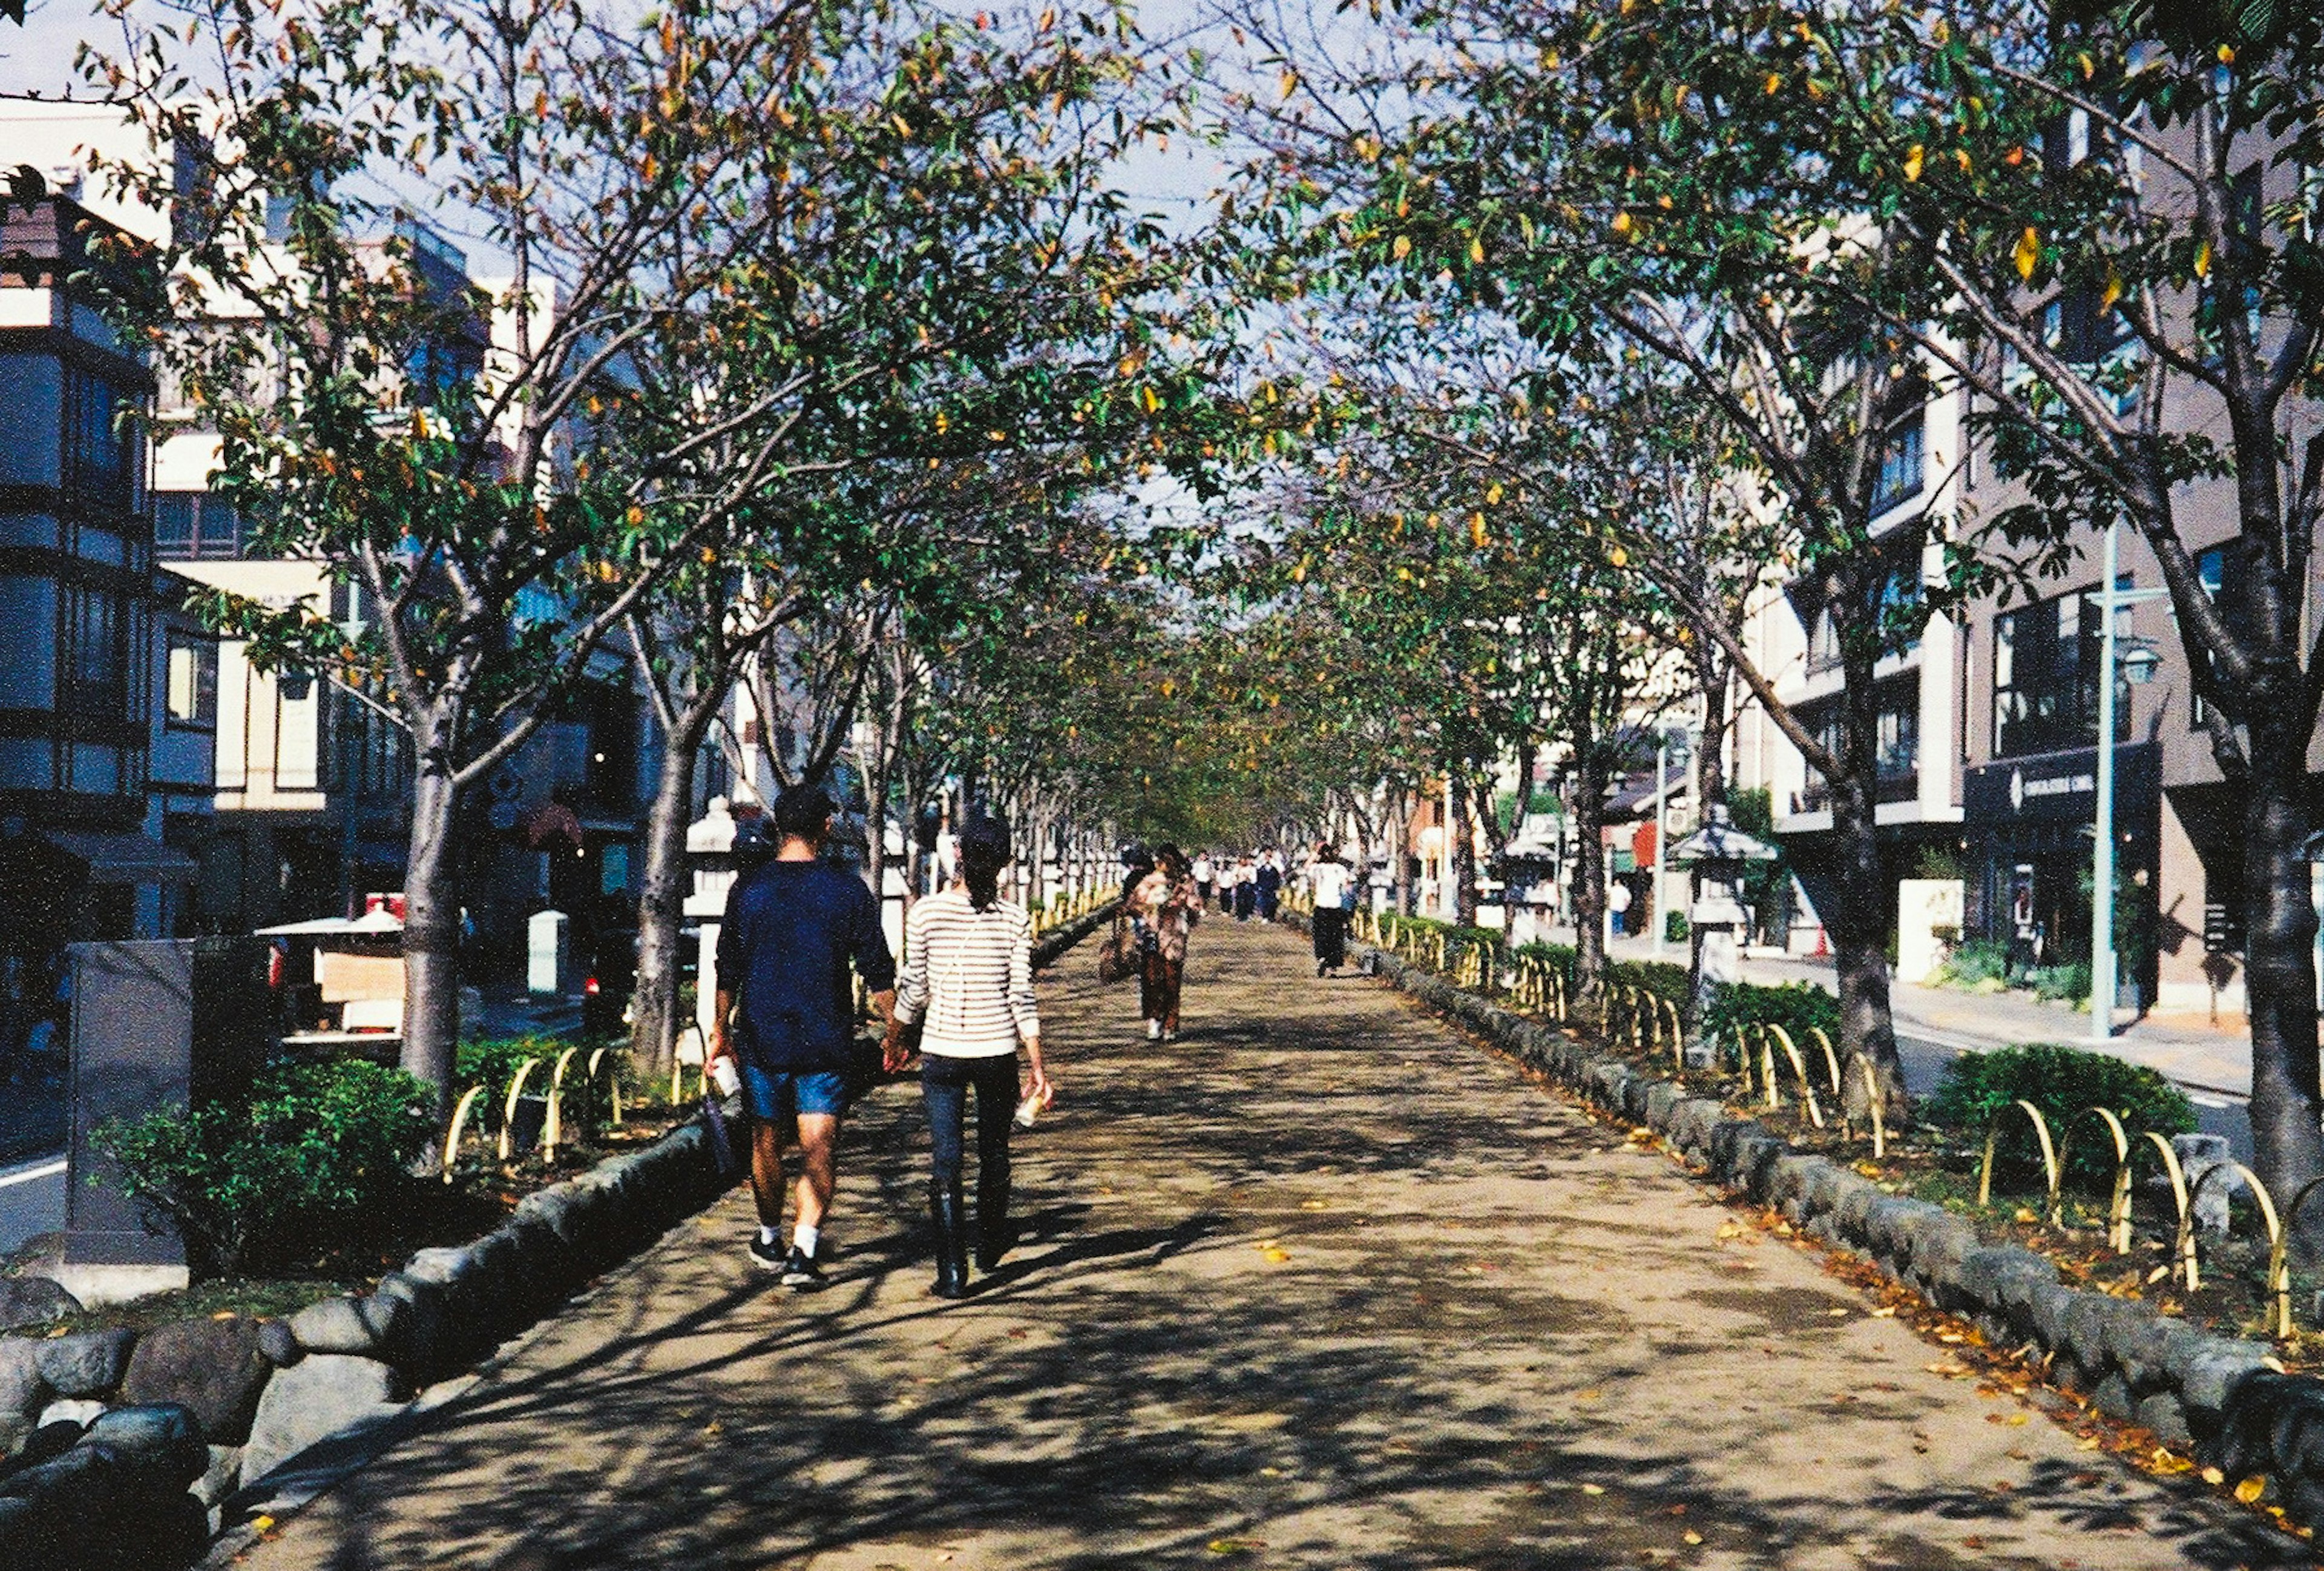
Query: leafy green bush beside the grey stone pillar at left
x=315 y=1161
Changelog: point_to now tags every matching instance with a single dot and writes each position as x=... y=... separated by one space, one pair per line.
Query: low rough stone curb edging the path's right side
x=2195 y=1389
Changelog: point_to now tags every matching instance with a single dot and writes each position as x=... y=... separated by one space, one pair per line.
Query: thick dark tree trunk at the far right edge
x=2279 y=977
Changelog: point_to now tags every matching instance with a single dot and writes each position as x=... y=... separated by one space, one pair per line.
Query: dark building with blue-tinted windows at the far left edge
x=89 y=766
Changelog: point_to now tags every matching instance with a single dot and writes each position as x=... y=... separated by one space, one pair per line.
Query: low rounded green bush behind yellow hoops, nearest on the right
x=2060 y=1082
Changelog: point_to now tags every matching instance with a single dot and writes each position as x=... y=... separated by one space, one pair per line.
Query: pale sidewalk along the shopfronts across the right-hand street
x=1979 y=1021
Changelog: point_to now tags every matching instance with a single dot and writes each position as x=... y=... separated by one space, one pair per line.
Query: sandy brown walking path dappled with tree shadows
x=1317 y=1286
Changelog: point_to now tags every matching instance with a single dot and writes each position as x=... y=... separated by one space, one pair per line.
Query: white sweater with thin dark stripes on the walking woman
x=968 y=975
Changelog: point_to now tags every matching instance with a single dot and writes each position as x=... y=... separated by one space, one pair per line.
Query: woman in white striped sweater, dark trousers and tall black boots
x=968 y=987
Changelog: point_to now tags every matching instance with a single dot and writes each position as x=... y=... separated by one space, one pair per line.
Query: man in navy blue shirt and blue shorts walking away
x=787 y=1014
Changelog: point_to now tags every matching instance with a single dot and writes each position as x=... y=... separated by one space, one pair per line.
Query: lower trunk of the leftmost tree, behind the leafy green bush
x=433 y=919
